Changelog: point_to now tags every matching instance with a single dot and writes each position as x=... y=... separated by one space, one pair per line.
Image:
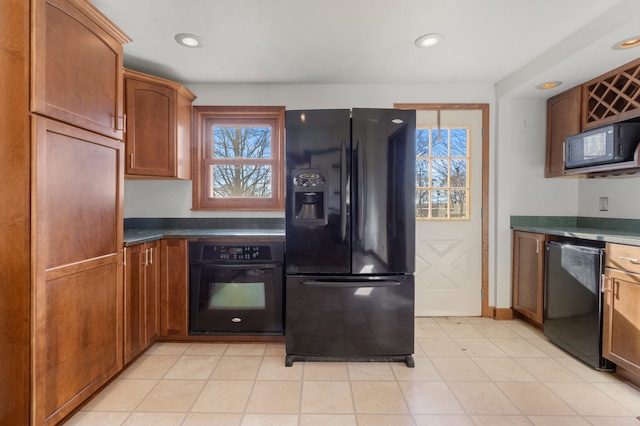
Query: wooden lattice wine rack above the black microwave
x=612 y=97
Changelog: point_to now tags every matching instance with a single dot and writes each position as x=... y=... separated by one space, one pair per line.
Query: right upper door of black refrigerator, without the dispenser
x=383 y=191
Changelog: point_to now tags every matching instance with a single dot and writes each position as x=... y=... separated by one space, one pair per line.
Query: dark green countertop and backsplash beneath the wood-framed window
x=140 y=230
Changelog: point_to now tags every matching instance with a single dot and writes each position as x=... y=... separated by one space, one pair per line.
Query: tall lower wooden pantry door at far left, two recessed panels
x=77 y=287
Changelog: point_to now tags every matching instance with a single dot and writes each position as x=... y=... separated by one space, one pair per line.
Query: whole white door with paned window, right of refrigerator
x=449 y=223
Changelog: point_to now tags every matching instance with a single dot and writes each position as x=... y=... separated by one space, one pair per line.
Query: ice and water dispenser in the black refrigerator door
x=309 y=197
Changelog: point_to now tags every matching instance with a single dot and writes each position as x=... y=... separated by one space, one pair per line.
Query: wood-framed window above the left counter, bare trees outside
x=239 y=158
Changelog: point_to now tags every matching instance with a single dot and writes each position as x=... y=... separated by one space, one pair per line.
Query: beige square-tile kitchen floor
x=469 y=371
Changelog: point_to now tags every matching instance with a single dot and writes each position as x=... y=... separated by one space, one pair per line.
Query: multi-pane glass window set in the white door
x=442 y=173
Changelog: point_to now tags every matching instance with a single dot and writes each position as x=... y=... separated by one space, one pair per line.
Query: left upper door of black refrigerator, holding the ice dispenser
x=318 y=142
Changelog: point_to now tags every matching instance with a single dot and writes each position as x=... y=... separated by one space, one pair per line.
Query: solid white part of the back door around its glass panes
x=449 y=252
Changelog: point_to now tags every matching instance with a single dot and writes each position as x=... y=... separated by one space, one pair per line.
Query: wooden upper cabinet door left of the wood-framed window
x=151 y=129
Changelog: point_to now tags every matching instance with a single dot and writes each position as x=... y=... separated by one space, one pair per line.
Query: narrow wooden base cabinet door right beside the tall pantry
x=134 y=302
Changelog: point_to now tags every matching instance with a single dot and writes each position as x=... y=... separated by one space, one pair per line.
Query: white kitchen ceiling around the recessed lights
x=513 y=44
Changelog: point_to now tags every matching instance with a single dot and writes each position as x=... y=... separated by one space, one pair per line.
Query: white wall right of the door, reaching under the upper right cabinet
x=520 y=187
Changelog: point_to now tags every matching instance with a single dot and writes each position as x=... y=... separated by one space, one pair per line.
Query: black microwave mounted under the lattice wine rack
x=614 y=143
